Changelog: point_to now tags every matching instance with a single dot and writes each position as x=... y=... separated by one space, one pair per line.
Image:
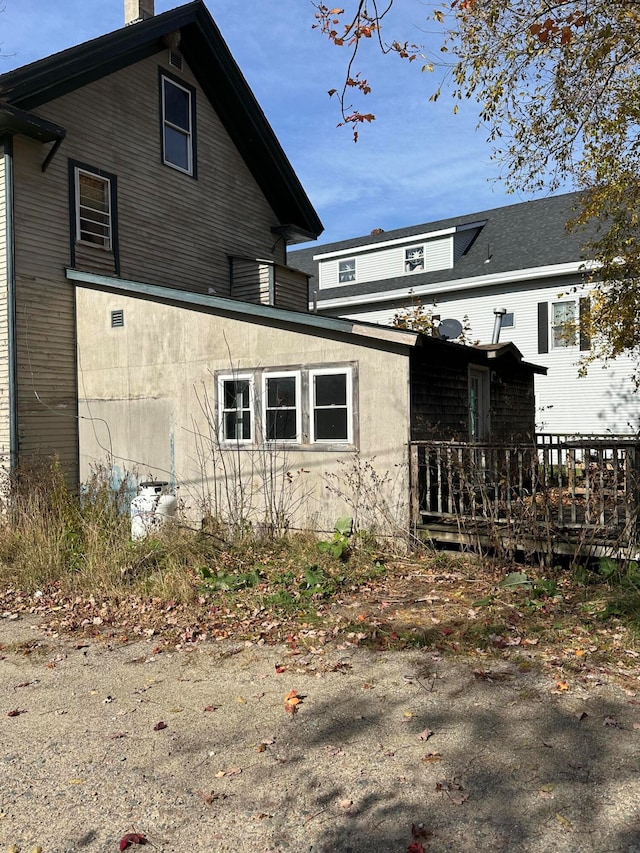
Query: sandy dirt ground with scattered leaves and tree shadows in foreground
x=196 y=749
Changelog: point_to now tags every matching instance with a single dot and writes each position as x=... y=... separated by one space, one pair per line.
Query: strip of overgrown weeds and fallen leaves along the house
x=72 y=561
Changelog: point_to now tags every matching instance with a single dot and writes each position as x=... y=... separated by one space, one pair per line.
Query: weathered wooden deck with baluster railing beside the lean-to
x=576 y=495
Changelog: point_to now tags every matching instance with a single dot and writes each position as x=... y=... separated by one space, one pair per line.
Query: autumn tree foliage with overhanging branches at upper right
x=557 y=83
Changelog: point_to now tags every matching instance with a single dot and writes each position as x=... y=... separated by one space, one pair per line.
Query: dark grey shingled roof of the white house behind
x=525 y=236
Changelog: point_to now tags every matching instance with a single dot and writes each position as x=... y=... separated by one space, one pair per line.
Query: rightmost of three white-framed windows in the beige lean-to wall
x=331 y=406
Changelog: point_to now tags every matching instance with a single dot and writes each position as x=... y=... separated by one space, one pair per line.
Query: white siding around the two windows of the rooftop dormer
x=390 y=262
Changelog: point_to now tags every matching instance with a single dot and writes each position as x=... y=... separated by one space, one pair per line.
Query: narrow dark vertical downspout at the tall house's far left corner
x=7 y=142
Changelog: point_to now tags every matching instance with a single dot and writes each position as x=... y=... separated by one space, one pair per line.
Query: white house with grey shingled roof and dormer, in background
x=519 y=258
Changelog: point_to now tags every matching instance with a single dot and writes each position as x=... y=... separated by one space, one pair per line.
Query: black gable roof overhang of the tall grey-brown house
x=208 y=56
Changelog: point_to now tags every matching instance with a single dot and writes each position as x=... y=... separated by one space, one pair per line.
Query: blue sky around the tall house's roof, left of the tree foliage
x=416 y=163
